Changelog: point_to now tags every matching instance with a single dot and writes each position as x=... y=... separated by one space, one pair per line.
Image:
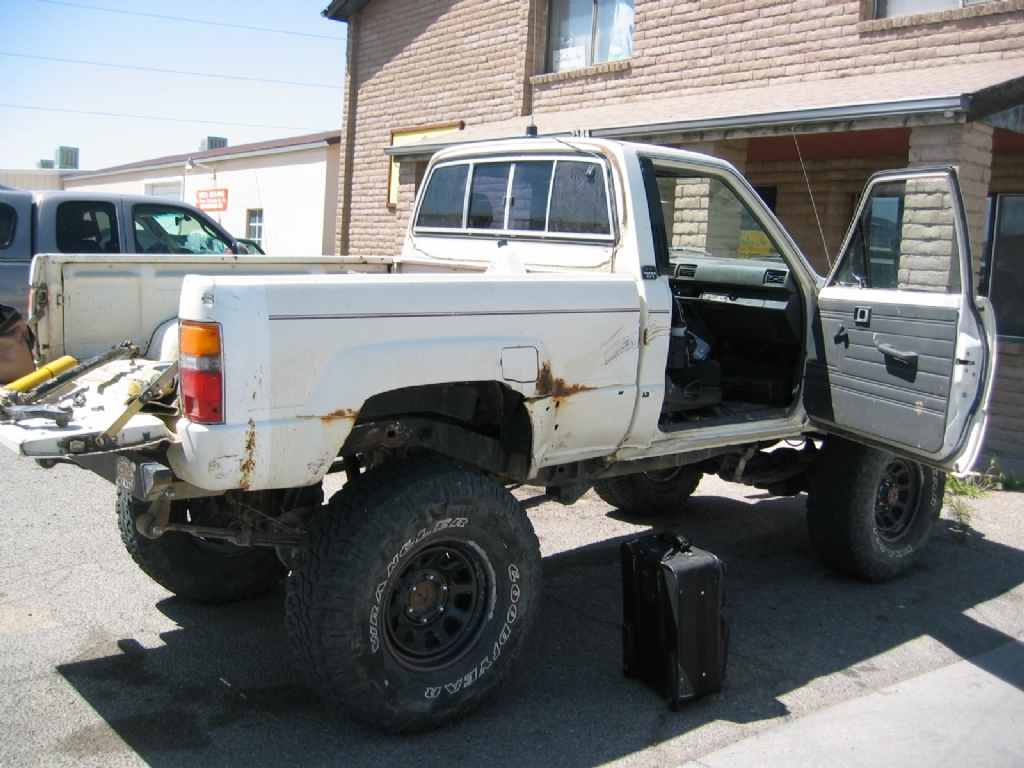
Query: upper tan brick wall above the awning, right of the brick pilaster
x=711 y=45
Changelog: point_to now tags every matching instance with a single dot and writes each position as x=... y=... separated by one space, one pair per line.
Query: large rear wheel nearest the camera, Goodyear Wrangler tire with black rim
x=415 y=595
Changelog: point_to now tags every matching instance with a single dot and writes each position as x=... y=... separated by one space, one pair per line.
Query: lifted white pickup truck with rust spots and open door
x=566 y=314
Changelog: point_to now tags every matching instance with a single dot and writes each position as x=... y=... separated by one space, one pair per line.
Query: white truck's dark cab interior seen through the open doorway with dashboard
x=738 y=324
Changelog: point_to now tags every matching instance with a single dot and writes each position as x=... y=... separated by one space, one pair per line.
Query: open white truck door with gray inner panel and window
x=902 y=352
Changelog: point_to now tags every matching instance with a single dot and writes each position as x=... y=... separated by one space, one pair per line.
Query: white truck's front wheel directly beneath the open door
x=870 y=514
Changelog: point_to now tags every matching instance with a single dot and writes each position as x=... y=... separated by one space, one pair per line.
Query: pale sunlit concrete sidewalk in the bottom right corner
x=968 y=714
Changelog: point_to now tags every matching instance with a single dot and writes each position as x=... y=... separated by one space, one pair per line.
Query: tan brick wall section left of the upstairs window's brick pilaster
x=423 y=64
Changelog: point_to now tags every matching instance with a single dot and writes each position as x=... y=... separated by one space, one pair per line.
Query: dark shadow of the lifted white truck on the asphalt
x=224 y=692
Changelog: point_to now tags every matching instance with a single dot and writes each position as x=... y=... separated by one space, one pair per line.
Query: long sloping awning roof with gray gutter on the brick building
x=944 y=95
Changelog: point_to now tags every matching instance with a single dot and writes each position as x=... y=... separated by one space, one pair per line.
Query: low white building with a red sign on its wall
x=282 y=194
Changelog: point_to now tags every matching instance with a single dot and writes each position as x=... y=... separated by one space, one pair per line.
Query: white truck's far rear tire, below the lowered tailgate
x=204 y=572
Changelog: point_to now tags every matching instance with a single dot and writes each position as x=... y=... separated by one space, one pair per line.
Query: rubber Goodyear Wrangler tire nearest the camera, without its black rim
x=349 y=543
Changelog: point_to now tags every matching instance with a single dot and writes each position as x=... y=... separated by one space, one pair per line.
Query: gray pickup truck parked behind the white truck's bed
x=34 y=223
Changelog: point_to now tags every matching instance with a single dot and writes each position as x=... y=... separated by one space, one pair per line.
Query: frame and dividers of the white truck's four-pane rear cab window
x=466 y=232
